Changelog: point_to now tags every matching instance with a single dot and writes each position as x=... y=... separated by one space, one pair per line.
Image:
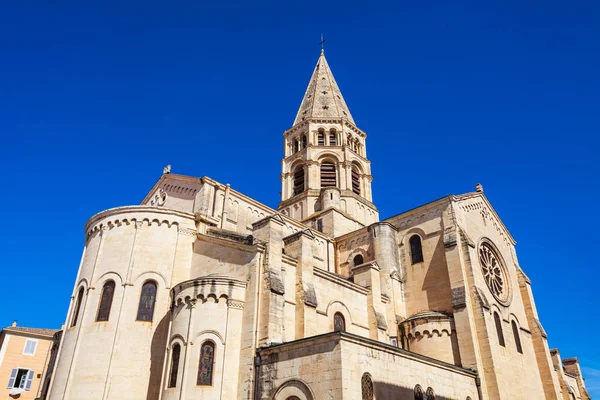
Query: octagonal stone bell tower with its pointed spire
x=326 y=176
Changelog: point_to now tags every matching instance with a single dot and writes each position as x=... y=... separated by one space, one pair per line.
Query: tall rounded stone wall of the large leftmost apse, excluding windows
x=129 y=245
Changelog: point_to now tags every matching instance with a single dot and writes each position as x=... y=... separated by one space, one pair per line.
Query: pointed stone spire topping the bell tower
x=323 y=98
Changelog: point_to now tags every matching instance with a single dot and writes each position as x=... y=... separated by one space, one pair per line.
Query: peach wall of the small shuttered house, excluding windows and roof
x=12 y=345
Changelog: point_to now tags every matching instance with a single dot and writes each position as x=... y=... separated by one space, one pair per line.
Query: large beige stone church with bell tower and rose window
x=202 y=292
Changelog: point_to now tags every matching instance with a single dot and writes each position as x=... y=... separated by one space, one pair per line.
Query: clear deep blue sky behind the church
x=97 y=97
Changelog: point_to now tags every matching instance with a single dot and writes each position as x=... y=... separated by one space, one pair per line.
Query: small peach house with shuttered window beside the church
x=24 y=355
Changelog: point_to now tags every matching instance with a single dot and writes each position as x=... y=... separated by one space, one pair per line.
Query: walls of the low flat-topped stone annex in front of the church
x=332 y=367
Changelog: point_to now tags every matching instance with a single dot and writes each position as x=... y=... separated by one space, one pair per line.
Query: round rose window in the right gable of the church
x=494 y=272
